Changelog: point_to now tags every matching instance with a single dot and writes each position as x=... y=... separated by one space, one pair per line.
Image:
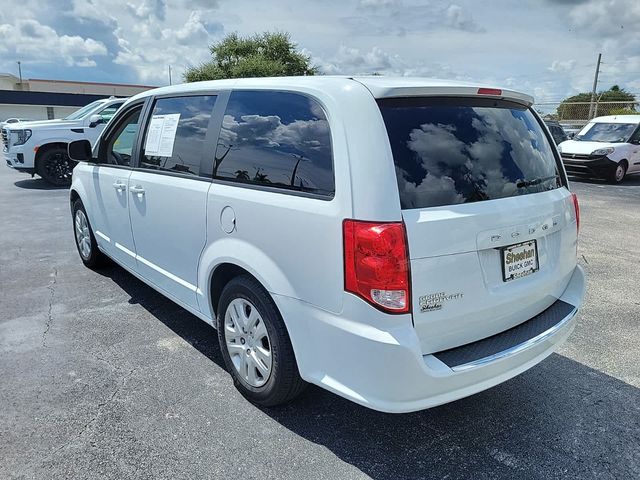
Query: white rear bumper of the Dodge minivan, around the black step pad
x=384 y=369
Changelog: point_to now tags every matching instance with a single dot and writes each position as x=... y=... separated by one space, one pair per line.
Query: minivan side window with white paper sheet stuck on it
x=175 y=136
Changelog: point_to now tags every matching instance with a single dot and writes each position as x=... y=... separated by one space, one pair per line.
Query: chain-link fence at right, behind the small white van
x=577 y=114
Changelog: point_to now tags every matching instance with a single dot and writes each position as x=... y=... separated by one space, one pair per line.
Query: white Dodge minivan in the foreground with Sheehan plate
x=400 y=242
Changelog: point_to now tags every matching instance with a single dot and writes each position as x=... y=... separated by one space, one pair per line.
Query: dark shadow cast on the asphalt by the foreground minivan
x=560 y=419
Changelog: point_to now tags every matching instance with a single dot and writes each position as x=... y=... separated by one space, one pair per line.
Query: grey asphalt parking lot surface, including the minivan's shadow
x=102 y=377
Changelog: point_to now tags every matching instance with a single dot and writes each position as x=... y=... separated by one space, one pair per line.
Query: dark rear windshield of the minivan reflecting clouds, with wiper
x=449 y=151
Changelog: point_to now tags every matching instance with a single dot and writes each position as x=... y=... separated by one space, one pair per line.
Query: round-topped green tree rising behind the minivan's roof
x=262 y=55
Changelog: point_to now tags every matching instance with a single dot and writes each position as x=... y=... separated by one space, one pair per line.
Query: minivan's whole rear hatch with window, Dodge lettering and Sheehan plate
x=490 y=223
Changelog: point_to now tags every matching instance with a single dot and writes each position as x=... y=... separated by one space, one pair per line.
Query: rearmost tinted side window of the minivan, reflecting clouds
x=275 y=139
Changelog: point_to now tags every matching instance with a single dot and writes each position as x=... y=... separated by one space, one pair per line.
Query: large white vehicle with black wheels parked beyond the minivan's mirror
x=41 y=146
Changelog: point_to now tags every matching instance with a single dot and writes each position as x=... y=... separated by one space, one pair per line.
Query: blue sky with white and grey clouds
x=547 y=48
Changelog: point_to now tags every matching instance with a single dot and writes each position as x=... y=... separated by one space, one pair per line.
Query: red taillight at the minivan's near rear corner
x=376 y=264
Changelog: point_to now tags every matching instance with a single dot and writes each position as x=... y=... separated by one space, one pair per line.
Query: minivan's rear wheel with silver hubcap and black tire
x=255 y=344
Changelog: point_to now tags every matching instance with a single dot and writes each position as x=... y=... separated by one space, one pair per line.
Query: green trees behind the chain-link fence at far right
x=576 y=107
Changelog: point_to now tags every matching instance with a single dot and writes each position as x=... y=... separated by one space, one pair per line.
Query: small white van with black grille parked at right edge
x=607 y=147
